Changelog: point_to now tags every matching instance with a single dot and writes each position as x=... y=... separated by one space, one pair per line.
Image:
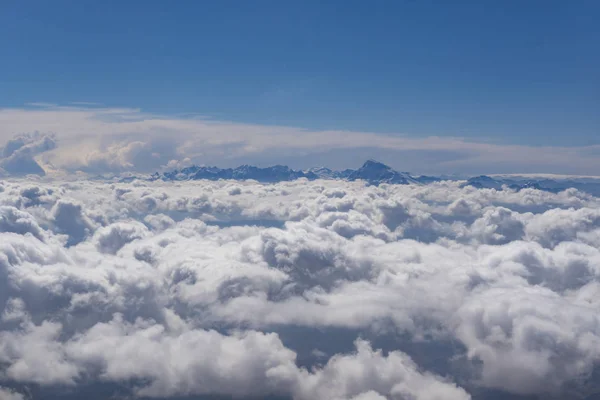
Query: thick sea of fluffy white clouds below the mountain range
x=304 y=290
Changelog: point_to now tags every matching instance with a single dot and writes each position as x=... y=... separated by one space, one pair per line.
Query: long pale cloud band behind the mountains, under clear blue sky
x=102 y=140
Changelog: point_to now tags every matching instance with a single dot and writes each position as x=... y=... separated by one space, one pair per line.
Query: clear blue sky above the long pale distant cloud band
x=503 y=73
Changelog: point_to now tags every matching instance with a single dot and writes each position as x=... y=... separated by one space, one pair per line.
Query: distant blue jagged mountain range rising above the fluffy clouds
x=376 y=173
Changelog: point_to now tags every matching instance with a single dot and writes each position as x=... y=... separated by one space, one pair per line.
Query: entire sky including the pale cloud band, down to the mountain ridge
x=456 y=85
